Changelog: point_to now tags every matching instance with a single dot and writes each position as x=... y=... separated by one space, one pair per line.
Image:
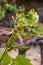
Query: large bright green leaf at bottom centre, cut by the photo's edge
x=20 y=60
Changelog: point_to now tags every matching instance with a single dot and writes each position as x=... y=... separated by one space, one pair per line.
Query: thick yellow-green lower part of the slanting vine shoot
x=10 y=41
